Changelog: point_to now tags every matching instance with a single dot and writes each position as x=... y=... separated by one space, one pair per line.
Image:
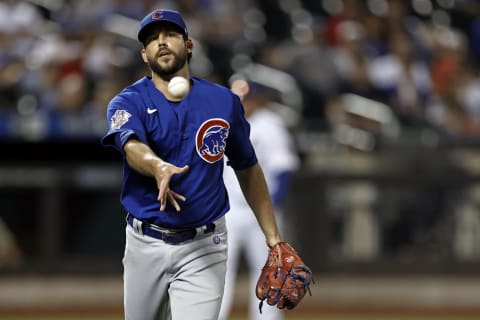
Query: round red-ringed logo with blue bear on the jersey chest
x=211 y=138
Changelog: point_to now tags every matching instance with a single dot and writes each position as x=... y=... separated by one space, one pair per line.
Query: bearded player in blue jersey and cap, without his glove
x=173 y=189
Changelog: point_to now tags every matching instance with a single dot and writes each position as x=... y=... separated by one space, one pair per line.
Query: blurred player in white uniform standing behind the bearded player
x=277 y=155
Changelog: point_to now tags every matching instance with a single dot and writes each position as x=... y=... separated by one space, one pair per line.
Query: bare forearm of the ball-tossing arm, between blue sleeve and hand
x=141 y=158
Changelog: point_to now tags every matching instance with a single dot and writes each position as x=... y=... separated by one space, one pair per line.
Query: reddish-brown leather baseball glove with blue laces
x=284 y=279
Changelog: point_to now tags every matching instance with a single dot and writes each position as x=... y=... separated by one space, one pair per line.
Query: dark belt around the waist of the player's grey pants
x=169 y=236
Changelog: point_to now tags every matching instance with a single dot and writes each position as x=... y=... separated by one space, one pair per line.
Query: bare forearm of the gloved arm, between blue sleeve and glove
x=254 y=187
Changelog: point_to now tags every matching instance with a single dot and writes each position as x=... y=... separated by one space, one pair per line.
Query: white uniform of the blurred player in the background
x=276 y=154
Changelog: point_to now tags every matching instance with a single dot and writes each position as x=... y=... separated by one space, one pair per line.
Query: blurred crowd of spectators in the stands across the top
x=62 y=60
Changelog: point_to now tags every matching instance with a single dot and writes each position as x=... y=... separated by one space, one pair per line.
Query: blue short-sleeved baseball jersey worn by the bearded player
x=208 y=123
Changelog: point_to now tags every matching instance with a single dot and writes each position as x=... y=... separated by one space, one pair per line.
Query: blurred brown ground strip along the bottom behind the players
x=333 y=297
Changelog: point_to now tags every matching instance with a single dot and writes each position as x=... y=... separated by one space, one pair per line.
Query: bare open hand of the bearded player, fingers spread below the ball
x=163 y=175
